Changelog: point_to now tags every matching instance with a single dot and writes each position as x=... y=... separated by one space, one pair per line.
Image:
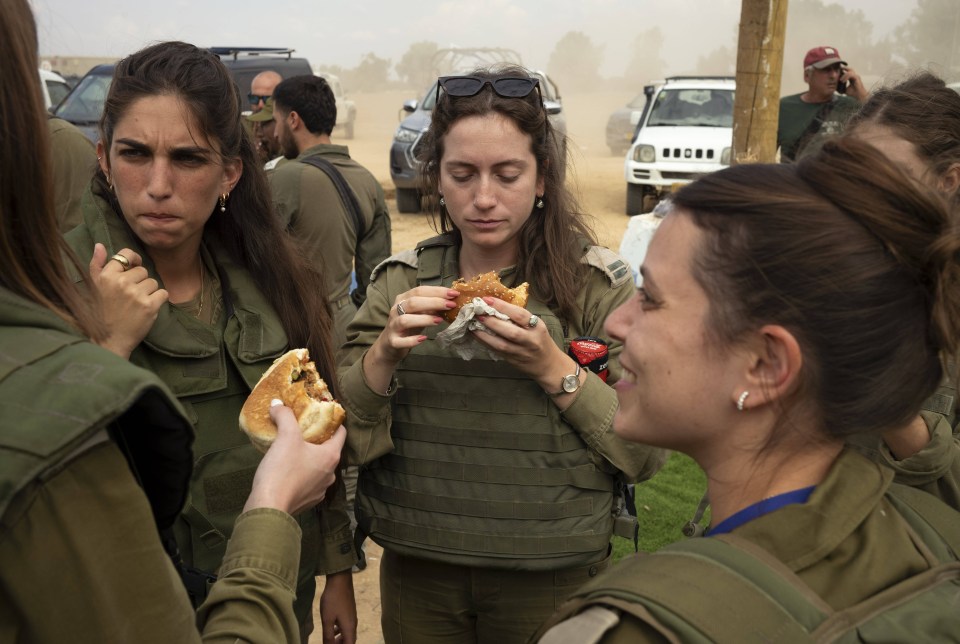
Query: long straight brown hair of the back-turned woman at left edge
x=31 y=247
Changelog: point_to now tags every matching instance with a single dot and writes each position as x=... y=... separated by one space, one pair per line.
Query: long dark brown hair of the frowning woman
x=250 y=230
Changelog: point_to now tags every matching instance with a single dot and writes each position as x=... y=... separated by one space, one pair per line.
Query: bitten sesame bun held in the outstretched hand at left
x=292 y=378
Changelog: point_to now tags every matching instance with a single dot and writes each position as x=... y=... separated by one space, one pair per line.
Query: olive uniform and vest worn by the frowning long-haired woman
x=211 y=369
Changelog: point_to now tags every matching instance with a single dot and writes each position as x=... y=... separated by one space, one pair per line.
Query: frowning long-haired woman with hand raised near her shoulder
x=221 y=293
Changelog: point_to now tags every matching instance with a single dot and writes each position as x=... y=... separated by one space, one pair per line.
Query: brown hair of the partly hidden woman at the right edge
x=923 y=111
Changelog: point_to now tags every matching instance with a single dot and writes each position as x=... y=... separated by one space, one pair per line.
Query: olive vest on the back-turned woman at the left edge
x=60 y=395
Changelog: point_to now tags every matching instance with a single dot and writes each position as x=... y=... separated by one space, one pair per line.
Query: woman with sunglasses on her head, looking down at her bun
x=490 y=484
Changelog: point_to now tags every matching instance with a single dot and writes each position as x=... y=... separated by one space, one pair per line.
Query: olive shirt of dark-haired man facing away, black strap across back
x=311 y=209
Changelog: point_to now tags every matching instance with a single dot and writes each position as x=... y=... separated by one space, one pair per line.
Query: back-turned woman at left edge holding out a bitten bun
x=80 y=557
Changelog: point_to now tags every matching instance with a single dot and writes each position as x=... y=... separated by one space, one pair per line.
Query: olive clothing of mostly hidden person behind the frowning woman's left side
x=74 y=159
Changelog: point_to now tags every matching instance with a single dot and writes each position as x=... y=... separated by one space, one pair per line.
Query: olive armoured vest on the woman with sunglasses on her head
x=485 y=471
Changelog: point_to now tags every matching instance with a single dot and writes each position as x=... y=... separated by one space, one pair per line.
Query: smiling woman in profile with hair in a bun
x=783 y=310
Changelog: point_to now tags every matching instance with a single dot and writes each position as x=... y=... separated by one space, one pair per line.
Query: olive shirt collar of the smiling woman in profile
x=837 y=507
